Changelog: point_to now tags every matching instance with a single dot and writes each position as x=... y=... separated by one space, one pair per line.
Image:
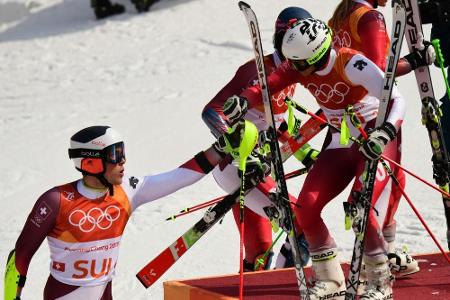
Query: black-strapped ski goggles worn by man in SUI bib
x=112 y=154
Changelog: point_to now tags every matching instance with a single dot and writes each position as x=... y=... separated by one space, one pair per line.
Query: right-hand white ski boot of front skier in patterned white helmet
x=379 y=279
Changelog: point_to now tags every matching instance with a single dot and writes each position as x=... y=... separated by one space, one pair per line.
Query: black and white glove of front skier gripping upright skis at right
x=377 y=140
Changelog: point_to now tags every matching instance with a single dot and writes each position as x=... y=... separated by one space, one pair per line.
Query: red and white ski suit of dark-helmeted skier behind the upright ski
x=258 y=230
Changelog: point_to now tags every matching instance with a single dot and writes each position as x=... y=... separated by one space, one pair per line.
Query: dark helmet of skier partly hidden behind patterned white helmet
x=286 y=17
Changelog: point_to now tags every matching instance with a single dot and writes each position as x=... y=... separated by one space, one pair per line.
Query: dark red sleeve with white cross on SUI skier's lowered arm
x=39 y=223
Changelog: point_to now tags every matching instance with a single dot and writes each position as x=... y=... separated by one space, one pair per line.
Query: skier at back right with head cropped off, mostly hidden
x=358 y=25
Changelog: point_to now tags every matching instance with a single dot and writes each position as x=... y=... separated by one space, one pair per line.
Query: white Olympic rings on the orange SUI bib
x=95 y=217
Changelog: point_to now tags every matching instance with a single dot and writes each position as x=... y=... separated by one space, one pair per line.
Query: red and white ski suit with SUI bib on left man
x=84 y=228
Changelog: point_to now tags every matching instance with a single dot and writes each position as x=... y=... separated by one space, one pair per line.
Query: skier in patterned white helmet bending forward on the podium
x=339 y=79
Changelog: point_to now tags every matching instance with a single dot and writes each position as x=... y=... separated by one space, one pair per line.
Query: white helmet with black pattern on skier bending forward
x=308 y=40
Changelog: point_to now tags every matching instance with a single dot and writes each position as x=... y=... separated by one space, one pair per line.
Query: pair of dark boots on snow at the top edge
x=105 y=8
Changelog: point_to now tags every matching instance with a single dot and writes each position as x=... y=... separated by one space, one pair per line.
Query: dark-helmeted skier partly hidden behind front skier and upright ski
x=258 y=233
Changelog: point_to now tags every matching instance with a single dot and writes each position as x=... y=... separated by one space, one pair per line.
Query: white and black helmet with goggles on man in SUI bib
x=91 y=147
